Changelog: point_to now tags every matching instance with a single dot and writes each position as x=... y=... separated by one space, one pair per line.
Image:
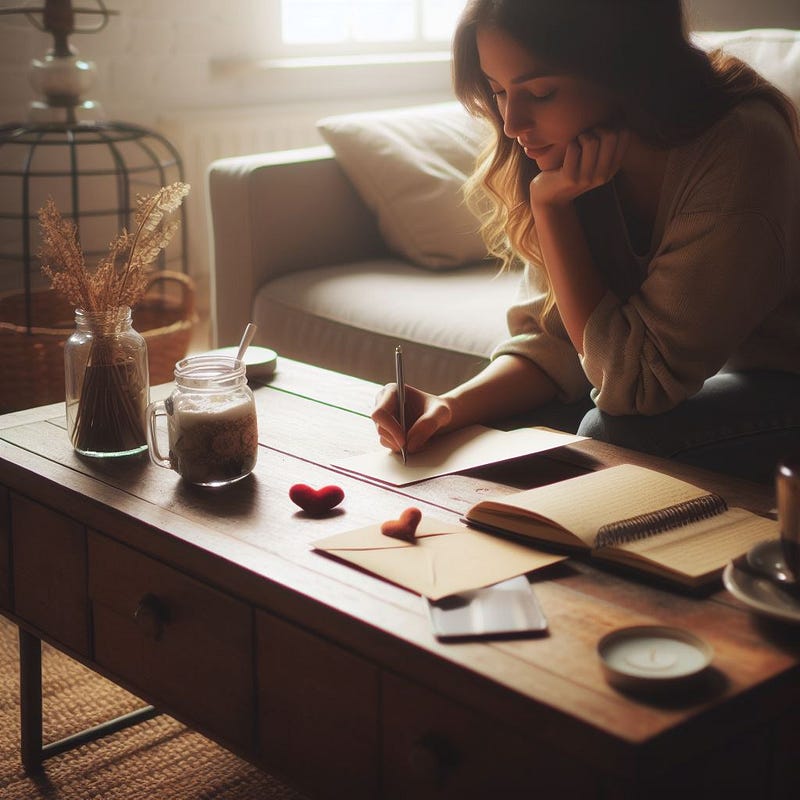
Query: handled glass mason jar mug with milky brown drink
x=212 y=425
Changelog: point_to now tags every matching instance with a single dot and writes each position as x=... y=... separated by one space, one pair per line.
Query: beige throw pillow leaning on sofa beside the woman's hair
x=409 y=166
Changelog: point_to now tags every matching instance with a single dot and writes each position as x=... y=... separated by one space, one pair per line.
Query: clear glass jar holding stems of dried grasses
x=107 y=384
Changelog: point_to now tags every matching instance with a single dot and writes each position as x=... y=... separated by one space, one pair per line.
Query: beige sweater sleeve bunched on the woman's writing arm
x=549 y=347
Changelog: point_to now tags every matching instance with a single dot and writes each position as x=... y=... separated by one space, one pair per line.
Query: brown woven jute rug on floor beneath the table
x=157 y=760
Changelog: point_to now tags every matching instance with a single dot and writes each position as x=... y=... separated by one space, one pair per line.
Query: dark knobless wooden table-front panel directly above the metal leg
x=48 y=557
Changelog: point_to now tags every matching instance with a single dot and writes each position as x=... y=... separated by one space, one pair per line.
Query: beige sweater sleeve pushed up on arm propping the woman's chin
x=716 y=277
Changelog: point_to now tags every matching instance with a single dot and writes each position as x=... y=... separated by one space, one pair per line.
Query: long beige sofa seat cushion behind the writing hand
x=349 y=318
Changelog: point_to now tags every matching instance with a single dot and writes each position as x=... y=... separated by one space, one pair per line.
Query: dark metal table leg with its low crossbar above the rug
x=33 y=750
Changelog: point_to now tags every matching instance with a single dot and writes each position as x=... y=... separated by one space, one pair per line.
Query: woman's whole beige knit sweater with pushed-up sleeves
x=719 y=289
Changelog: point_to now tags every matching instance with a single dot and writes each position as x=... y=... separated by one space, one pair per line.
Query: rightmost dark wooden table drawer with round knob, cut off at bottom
x=435 y=747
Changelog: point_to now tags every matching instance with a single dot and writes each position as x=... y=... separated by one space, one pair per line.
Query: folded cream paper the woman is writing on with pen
x=467 y=448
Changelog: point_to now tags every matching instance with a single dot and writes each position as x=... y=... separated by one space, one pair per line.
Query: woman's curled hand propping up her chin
x=591 y=160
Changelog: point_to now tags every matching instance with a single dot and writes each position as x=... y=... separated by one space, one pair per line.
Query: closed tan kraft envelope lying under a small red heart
x=445 y=559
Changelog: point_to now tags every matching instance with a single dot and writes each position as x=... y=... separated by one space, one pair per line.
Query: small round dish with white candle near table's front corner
x=652 y=657
